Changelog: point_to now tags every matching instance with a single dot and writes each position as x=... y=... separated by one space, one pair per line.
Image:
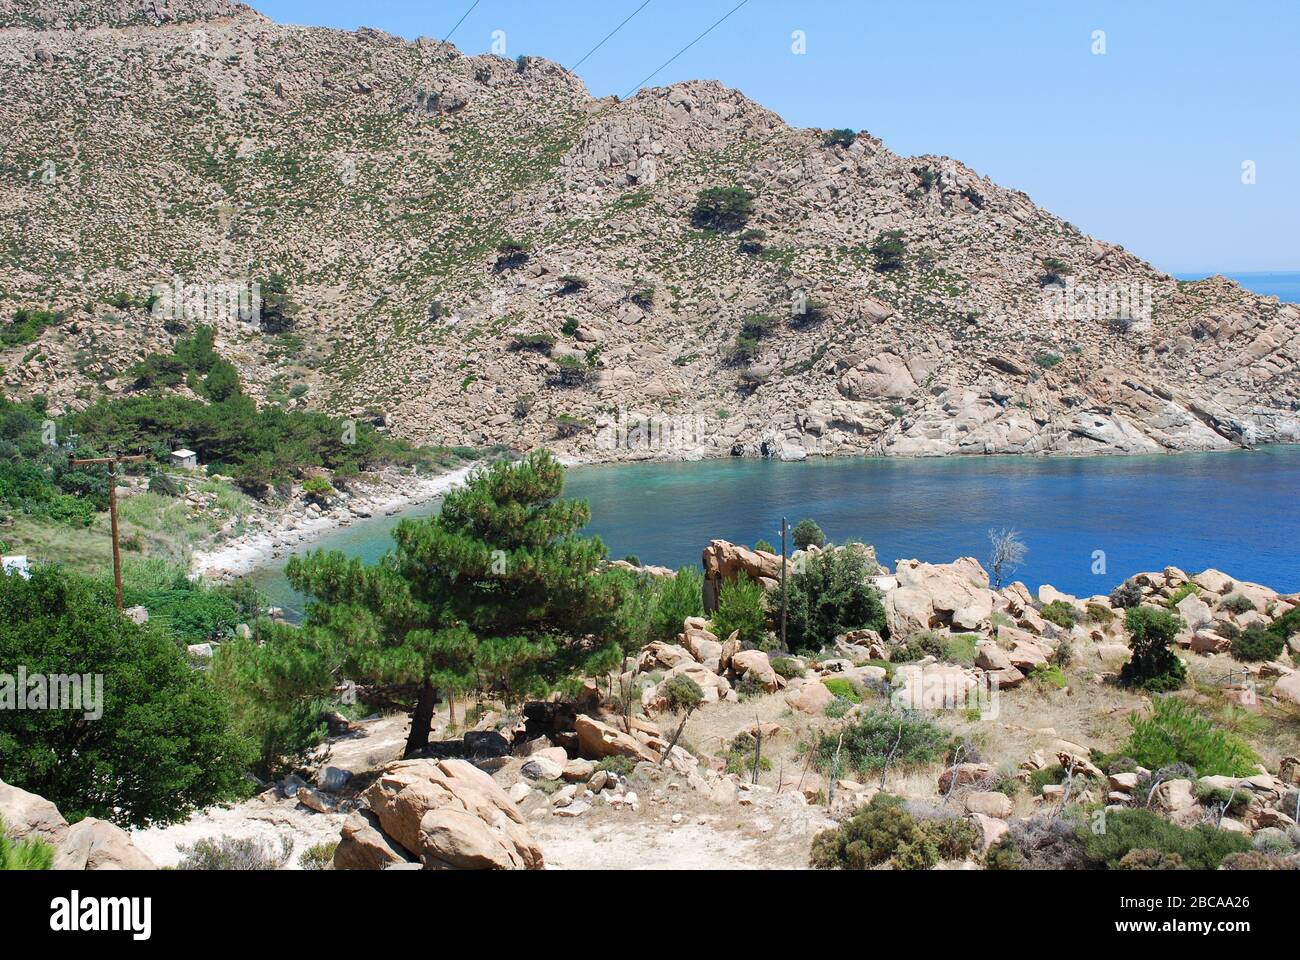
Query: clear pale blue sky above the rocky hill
x=1143 y=145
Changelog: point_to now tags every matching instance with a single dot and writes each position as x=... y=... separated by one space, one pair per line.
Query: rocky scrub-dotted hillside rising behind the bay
x=196 y=142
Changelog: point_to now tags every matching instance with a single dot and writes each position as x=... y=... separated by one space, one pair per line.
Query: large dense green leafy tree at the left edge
x=164 y=745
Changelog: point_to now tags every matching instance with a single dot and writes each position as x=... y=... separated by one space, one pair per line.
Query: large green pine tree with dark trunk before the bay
x=497 y=594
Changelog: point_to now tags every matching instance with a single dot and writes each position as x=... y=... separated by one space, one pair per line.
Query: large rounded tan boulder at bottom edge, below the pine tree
x=447 y=815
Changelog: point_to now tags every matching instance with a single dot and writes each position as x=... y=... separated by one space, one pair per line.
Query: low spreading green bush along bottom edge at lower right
x=1201 y=849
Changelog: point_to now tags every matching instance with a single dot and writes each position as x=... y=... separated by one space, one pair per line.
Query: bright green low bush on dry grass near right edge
x=1177 y=732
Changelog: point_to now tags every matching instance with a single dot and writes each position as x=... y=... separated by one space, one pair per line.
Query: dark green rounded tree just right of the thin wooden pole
x=829 y=598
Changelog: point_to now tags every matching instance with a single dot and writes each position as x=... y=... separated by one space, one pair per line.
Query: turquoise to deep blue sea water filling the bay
x=1236 y=512
